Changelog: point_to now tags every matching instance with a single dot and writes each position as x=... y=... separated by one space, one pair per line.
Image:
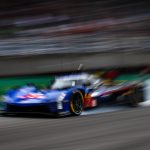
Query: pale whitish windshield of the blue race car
x=62 y=84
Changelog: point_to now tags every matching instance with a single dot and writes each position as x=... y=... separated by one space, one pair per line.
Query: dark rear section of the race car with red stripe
x=127 y=93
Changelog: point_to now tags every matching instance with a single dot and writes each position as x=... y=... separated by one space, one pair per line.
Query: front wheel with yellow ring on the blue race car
x=76 y=103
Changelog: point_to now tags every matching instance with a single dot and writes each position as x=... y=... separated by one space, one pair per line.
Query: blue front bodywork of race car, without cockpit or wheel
x=31 y=99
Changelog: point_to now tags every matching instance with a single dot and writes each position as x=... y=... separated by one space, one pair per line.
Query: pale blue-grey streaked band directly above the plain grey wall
x=74 y=44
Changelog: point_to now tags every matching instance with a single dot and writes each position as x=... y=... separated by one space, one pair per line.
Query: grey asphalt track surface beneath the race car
x=127 y=129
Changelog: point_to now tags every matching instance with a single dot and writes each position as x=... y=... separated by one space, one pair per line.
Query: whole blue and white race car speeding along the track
x=71 y=94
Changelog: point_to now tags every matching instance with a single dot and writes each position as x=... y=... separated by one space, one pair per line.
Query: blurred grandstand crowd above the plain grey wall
x=49 y=26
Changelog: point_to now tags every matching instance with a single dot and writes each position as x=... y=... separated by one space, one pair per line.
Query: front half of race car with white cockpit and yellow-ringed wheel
x=67 y=95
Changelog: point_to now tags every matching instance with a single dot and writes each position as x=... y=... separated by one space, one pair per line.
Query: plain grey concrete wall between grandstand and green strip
x=37 y=64
